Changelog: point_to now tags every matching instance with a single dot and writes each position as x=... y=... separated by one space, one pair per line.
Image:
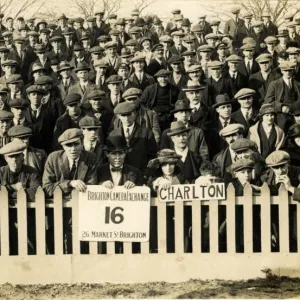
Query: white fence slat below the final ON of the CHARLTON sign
x=213 y=226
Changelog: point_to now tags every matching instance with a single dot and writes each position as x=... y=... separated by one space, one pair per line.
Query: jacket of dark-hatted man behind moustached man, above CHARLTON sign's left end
x=196 y=142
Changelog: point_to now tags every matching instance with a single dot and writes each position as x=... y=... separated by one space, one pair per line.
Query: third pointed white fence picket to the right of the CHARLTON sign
x=265 y=219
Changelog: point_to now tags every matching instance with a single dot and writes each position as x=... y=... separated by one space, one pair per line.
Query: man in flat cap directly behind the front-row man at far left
x=33 y=157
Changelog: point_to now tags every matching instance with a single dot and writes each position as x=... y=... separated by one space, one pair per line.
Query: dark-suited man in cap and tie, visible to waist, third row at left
x=41 y=119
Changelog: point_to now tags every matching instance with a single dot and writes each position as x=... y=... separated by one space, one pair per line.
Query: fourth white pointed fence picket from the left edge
x=58 y=222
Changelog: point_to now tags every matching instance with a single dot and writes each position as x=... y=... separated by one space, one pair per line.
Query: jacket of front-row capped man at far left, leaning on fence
x=29 y=178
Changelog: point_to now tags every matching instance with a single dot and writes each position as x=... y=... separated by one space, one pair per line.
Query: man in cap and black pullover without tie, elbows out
x=161 y=97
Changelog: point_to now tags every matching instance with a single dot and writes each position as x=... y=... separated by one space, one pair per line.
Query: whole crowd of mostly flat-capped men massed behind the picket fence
x=128 y=101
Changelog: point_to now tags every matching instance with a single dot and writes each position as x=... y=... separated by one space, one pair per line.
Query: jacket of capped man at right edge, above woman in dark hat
x=275 y=92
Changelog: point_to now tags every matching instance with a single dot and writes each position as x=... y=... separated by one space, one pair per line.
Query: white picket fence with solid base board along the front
x=145 y=266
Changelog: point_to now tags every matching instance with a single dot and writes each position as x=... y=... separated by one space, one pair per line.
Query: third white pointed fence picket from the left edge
x=40 y=222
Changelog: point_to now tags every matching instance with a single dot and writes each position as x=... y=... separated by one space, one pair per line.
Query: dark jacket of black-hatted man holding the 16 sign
x=129 y=173
